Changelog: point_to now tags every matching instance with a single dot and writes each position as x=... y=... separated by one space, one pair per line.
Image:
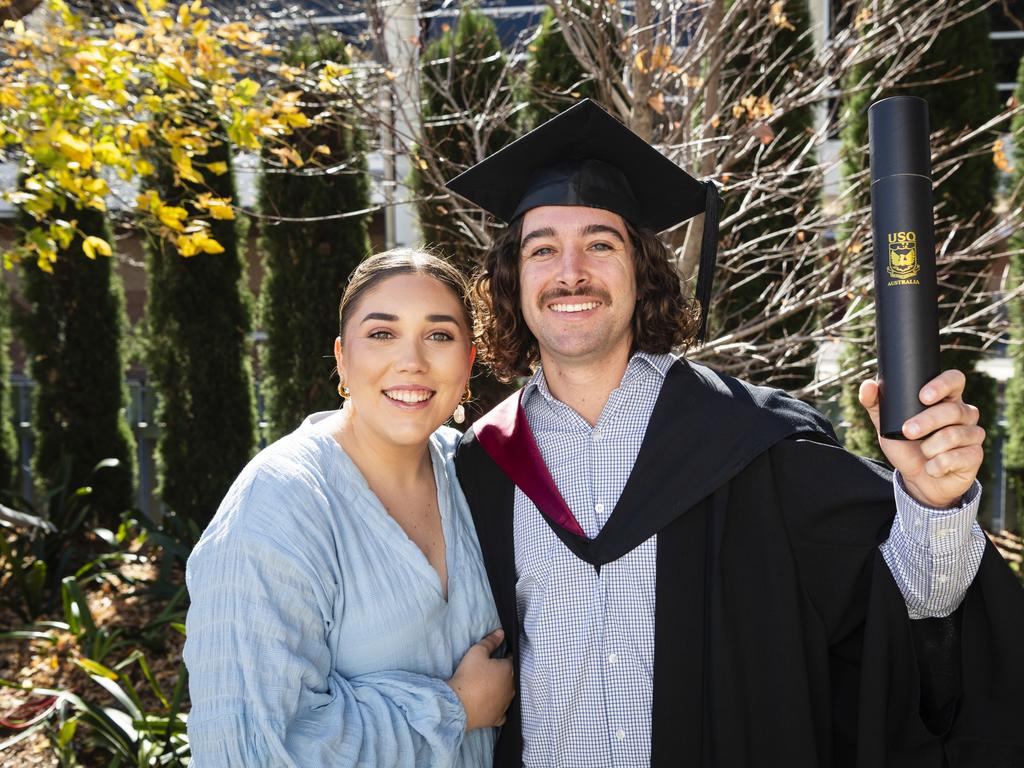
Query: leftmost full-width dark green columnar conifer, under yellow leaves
x=73 y=331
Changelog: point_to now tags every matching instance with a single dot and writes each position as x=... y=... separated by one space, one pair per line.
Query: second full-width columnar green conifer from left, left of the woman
x=198 y=319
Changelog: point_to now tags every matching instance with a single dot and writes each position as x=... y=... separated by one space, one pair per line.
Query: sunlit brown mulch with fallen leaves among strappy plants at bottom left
x=117 y=603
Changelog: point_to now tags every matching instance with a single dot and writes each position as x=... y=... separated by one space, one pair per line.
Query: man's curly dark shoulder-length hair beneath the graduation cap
x=664 y=320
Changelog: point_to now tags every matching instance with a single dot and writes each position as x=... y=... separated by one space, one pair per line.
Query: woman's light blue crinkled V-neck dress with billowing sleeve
x=318 y=634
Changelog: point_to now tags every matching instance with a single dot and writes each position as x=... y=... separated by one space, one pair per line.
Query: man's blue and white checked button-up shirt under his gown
x=587 y=646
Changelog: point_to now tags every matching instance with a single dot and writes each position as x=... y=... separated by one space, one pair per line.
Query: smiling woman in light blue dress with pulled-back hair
x=338 y=594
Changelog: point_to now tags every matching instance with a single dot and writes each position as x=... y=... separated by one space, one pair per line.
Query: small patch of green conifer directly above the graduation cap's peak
x=556 y=79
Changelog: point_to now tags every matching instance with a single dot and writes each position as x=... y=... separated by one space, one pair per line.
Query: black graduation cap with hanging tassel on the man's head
x=585 y=157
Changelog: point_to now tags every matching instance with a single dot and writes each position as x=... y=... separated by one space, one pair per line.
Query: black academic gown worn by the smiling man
x=781 y=636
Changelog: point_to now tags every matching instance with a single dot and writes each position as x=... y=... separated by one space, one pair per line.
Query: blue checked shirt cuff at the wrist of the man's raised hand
x=942 y=531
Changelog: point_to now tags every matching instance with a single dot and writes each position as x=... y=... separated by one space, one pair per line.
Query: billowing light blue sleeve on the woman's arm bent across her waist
x=263 y=687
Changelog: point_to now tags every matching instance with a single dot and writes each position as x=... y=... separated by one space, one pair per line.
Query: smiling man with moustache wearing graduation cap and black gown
x=690 y=571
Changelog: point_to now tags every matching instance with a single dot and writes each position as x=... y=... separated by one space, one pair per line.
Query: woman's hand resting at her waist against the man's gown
x=484 y=685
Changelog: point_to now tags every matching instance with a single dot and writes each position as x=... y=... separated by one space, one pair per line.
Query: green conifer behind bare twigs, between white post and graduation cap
x=461 y=70
